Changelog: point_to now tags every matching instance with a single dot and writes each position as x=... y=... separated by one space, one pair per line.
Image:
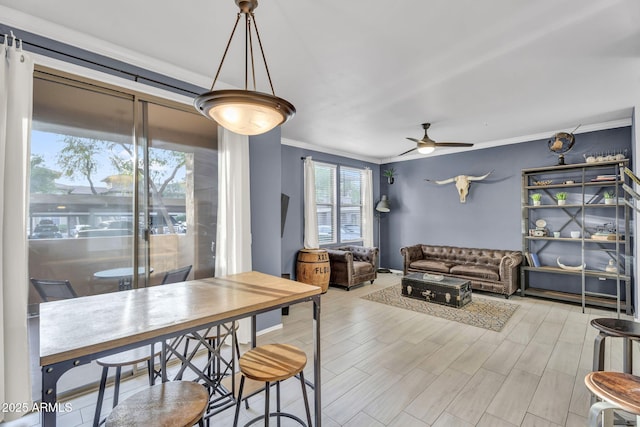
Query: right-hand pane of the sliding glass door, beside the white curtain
x=181 y=191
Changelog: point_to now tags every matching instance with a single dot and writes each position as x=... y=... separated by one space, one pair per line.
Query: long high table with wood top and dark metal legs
x=72 y=334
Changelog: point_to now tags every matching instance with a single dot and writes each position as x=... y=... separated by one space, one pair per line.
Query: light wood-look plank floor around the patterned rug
x=385 y=366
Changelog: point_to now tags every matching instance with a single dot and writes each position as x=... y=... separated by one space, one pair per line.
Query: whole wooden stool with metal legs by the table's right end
x=269 y=364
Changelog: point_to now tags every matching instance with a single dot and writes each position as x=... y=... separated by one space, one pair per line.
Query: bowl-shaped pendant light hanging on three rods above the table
x=246 y=112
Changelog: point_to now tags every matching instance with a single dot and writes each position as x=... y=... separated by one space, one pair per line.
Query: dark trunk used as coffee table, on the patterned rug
x=438 y=289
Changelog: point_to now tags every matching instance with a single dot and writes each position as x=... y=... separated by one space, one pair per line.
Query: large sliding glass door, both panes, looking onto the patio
x=123 y=190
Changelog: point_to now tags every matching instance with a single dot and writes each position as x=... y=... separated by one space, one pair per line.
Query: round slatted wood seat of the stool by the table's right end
x=272 y=362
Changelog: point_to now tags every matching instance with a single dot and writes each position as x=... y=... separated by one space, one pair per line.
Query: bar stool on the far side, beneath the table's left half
x=126 y=358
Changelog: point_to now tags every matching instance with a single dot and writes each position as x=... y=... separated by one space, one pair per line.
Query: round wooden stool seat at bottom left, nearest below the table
x=170 y=404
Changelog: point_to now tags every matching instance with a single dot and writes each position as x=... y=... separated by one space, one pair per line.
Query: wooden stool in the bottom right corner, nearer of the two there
x=617 y=390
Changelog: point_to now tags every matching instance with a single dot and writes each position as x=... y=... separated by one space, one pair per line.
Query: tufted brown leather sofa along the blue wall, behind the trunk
x=490 y=270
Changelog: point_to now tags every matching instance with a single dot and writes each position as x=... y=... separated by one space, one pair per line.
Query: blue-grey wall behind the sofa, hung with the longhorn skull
x=424 y=212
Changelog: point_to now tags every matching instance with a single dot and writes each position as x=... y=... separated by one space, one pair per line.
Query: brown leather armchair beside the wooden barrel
x=352 y=265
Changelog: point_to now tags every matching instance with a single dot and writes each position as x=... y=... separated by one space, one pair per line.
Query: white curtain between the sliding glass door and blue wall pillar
x=233 y=240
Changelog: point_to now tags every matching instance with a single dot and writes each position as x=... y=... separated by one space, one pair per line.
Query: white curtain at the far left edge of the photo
x=16 y=95
